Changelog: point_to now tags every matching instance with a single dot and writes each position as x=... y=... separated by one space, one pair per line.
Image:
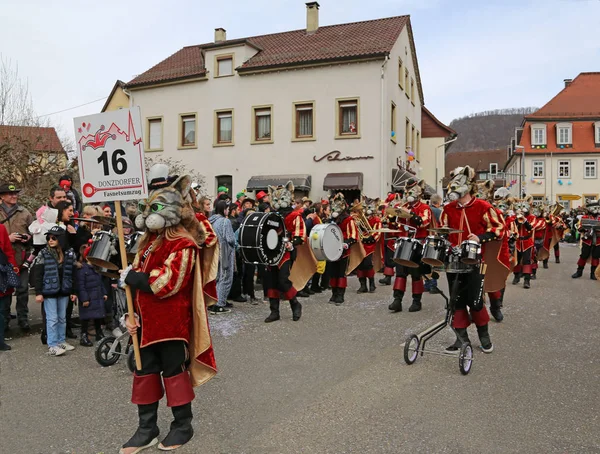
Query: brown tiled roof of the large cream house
x=358 y=40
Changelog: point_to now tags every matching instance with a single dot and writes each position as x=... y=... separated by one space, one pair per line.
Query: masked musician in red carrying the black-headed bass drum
x=279 y=283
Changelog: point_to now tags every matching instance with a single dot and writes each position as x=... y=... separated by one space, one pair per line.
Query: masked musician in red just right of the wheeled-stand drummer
x=524 y=224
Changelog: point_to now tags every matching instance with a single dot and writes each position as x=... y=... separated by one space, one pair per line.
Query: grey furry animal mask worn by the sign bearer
x=164 y=206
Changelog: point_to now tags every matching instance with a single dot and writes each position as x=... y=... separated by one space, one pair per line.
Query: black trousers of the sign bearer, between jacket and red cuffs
x=169 y=357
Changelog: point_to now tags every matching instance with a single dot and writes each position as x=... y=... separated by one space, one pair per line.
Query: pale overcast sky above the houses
x=473 y=55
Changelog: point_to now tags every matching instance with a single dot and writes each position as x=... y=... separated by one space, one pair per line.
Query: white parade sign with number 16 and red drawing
x=111 y=156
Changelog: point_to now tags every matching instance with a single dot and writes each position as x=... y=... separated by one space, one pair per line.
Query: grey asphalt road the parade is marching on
x=335 y=382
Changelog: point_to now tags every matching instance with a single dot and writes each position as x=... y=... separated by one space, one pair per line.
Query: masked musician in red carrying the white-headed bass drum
x=340 y=267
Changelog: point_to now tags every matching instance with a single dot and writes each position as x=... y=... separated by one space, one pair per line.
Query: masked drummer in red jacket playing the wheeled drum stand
x=480 y=223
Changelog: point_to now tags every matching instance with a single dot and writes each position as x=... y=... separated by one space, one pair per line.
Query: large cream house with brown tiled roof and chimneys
x=330 y=107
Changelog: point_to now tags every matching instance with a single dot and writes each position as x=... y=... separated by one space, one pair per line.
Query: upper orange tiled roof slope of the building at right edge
x=580 y=99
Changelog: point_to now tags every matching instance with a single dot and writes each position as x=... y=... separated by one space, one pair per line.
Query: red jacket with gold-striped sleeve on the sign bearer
x=166 y=312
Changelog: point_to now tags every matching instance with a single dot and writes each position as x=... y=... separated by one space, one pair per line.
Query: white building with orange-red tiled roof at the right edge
x=561 y=146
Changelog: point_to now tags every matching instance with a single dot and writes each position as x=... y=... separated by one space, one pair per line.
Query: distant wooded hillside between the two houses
x=489 y=130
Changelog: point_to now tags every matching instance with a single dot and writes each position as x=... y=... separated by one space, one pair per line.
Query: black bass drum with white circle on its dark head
x=261 y=238
